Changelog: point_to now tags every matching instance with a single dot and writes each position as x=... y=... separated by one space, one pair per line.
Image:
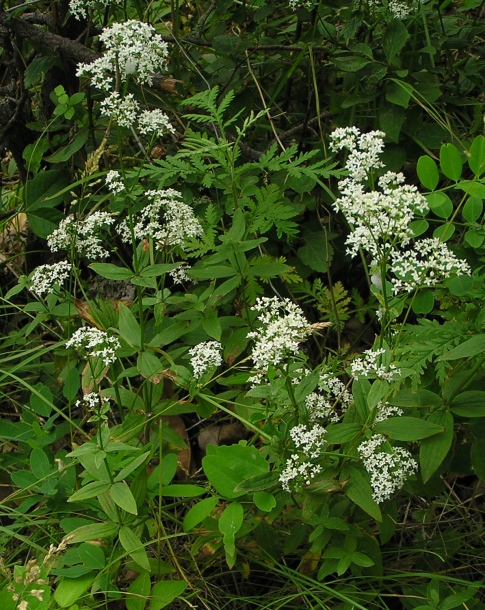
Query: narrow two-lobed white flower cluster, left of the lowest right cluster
x=299 y=470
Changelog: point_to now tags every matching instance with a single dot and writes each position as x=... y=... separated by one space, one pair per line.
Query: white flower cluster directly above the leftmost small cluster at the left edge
x=82 y=235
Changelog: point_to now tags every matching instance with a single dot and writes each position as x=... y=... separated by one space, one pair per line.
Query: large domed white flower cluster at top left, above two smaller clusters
x=132 y=47
